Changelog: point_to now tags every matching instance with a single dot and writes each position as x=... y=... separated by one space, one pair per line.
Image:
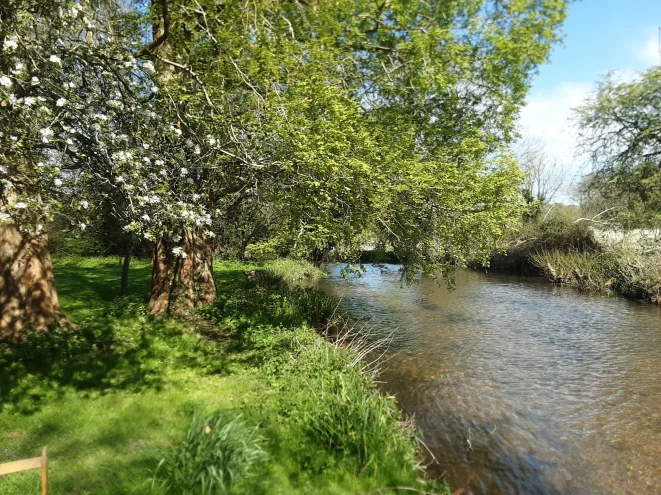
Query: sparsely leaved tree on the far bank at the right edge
x=620 y=131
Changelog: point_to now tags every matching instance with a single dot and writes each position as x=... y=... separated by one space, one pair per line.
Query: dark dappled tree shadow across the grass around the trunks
x=118 y=346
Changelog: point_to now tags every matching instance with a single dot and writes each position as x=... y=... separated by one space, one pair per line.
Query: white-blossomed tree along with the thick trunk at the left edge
x=78 y=121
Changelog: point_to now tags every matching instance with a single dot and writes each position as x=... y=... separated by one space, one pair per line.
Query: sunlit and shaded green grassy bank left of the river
x=273 y=407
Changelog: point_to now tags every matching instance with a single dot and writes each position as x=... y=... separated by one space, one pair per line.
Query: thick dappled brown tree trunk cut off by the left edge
x=28 y=298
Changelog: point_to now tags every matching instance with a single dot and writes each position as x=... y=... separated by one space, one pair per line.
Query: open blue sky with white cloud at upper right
x=600 y=36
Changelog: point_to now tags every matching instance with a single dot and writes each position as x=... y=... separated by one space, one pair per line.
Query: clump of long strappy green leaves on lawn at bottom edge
x=216 y=454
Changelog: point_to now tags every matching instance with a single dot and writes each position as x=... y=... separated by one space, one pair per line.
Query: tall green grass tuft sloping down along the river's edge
x=342 y=414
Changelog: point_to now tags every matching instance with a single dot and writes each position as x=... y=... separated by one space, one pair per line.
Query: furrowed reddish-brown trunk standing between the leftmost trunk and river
x=180 y=283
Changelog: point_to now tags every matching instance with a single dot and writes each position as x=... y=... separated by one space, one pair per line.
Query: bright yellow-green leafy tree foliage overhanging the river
x=341 y=110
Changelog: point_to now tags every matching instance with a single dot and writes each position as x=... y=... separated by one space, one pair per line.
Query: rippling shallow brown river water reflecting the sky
x=519 y=386
